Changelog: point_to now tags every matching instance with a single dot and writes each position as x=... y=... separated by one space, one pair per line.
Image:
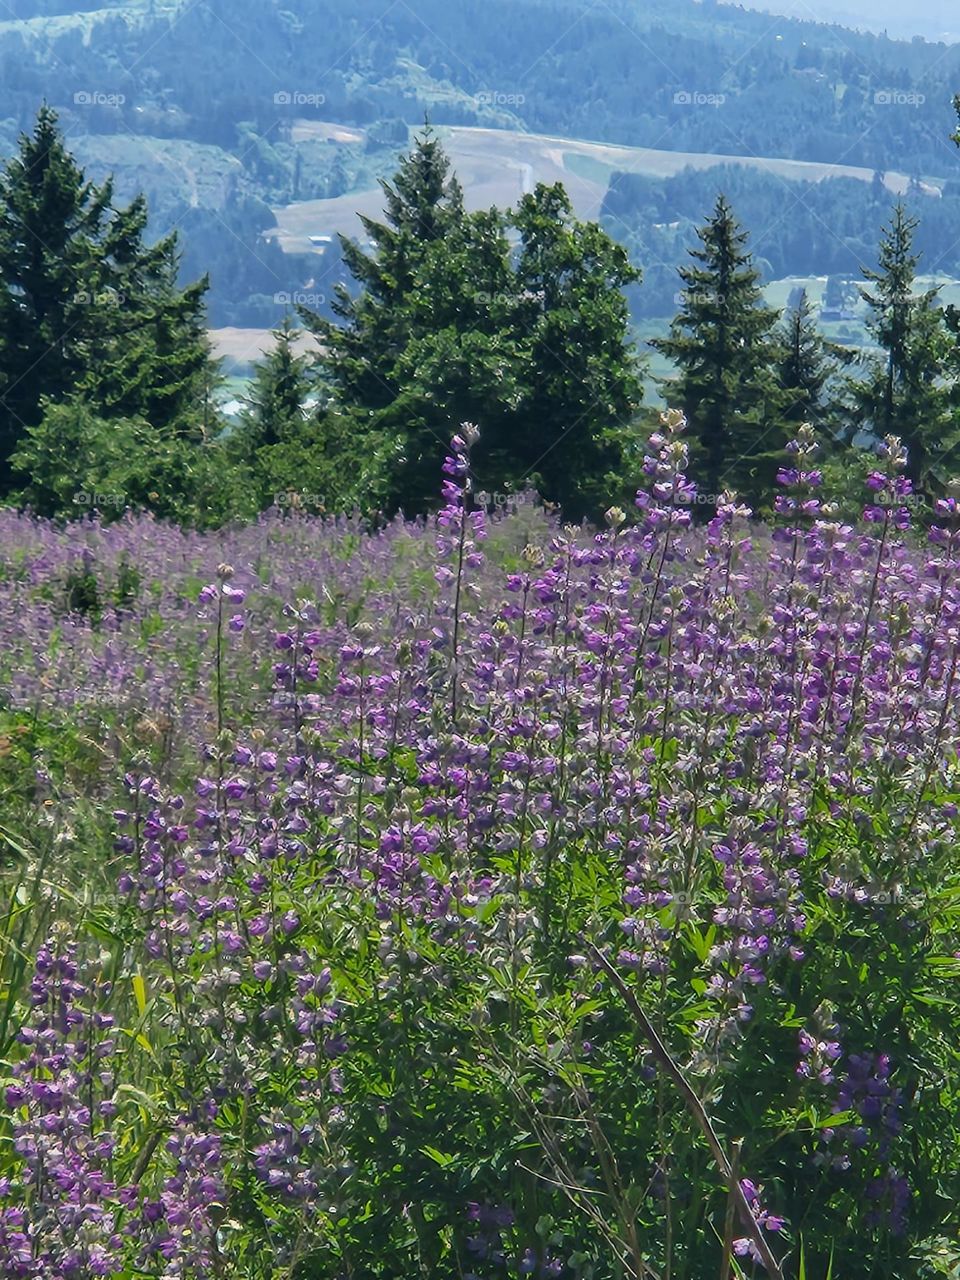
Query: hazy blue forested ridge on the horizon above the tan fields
x=619 y=72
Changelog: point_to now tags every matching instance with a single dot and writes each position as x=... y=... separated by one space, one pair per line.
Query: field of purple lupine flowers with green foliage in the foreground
x=482 y=898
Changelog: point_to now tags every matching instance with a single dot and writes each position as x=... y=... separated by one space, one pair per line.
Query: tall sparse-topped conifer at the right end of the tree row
x=902 y=392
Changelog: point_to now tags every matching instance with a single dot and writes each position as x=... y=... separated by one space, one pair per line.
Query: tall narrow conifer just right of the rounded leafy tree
x=725 y=346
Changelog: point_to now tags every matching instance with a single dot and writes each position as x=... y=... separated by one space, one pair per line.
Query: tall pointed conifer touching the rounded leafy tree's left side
x=392 y=355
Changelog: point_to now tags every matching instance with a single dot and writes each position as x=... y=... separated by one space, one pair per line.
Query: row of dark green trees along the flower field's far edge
x=515 y=321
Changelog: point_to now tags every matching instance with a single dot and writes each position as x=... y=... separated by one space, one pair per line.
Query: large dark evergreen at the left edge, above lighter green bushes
x=86 y=308
